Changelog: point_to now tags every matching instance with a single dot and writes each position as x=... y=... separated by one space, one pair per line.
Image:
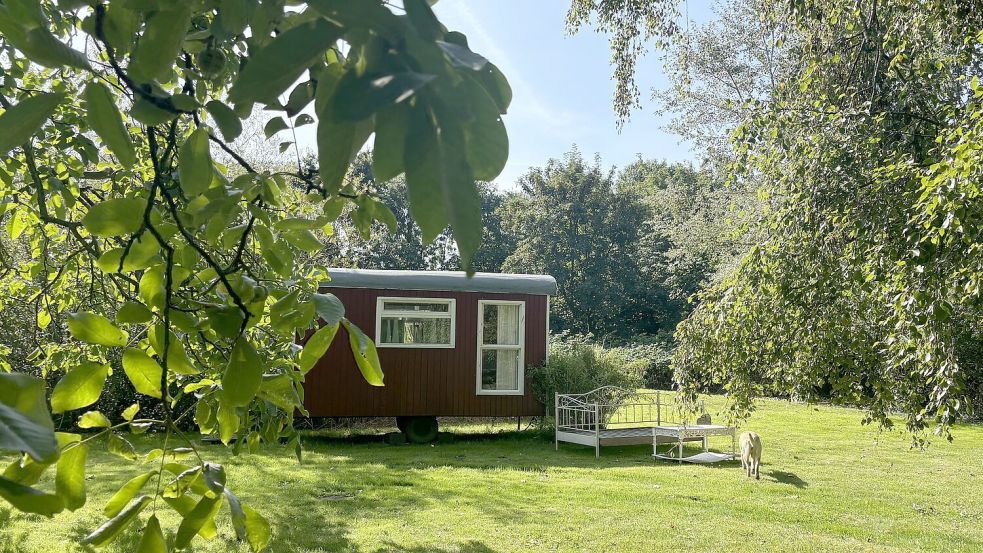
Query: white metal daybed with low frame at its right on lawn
x=612 y=416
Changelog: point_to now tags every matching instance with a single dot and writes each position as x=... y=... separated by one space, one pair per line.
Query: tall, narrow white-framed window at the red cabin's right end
x=501 y=345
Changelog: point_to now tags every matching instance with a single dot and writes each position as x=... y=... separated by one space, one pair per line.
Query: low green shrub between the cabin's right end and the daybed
x=576 y=366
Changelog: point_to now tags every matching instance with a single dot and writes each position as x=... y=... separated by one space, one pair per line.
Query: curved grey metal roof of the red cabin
x=444 y=281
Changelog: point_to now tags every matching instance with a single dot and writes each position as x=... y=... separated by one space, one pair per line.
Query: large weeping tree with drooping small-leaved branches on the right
x=864 y=279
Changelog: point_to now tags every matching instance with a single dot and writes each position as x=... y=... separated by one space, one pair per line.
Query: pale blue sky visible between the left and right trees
x=562 y=85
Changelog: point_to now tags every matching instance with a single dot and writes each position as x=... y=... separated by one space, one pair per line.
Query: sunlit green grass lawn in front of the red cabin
x=828 y=484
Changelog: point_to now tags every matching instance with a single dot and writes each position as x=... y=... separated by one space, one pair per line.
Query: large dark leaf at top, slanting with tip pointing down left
x=283 y=60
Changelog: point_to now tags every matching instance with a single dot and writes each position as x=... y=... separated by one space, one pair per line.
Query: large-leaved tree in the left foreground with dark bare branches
x=177 y=270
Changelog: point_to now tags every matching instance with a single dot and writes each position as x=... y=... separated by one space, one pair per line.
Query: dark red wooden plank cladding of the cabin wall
x=421 y=381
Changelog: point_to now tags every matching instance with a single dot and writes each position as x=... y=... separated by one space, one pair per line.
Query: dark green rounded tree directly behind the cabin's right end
x=574 y=225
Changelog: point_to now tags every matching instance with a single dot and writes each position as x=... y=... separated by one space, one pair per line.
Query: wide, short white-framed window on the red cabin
x=415 y=322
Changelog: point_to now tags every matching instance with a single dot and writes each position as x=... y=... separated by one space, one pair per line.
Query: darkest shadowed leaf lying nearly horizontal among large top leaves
x=359 y=96
